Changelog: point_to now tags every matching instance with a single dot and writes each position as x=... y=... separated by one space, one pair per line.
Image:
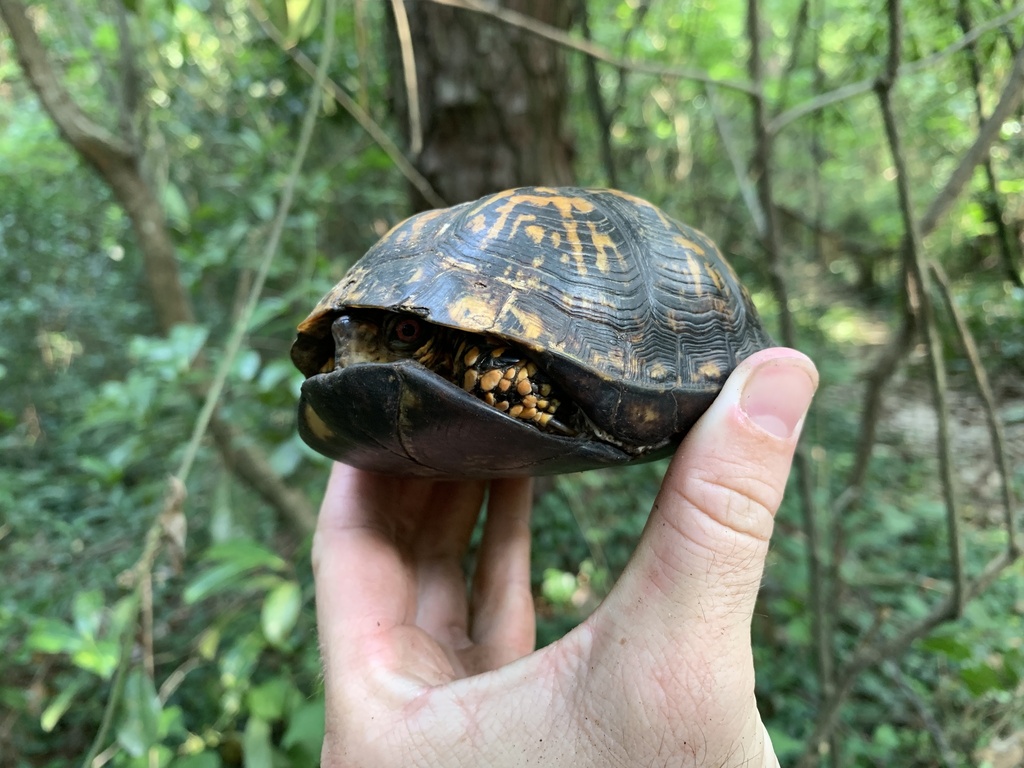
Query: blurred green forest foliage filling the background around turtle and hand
x=98 y=400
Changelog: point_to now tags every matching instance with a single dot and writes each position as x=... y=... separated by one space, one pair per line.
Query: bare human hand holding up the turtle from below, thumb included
x=421 y=671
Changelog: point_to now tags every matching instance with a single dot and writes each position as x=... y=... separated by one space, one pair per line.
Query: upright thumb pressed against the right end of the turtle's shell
x=702 y=556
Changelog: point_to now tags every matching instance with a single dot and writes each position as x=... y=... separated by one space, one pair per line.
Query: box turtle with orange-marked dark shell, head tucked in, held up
x=535 y=331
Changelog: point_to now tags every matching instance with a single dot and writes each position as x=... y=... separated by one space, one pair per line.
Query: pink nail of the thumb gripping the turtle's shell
x=778 y=396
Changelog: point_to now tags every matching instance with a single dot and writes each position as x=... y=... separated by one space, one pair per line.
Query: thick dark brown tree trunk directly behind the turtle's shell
x=491 y=99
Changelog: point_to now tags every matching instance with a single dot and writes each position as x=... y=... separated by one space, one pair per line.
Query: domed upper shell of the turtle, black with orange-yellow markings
x=633 y=314
